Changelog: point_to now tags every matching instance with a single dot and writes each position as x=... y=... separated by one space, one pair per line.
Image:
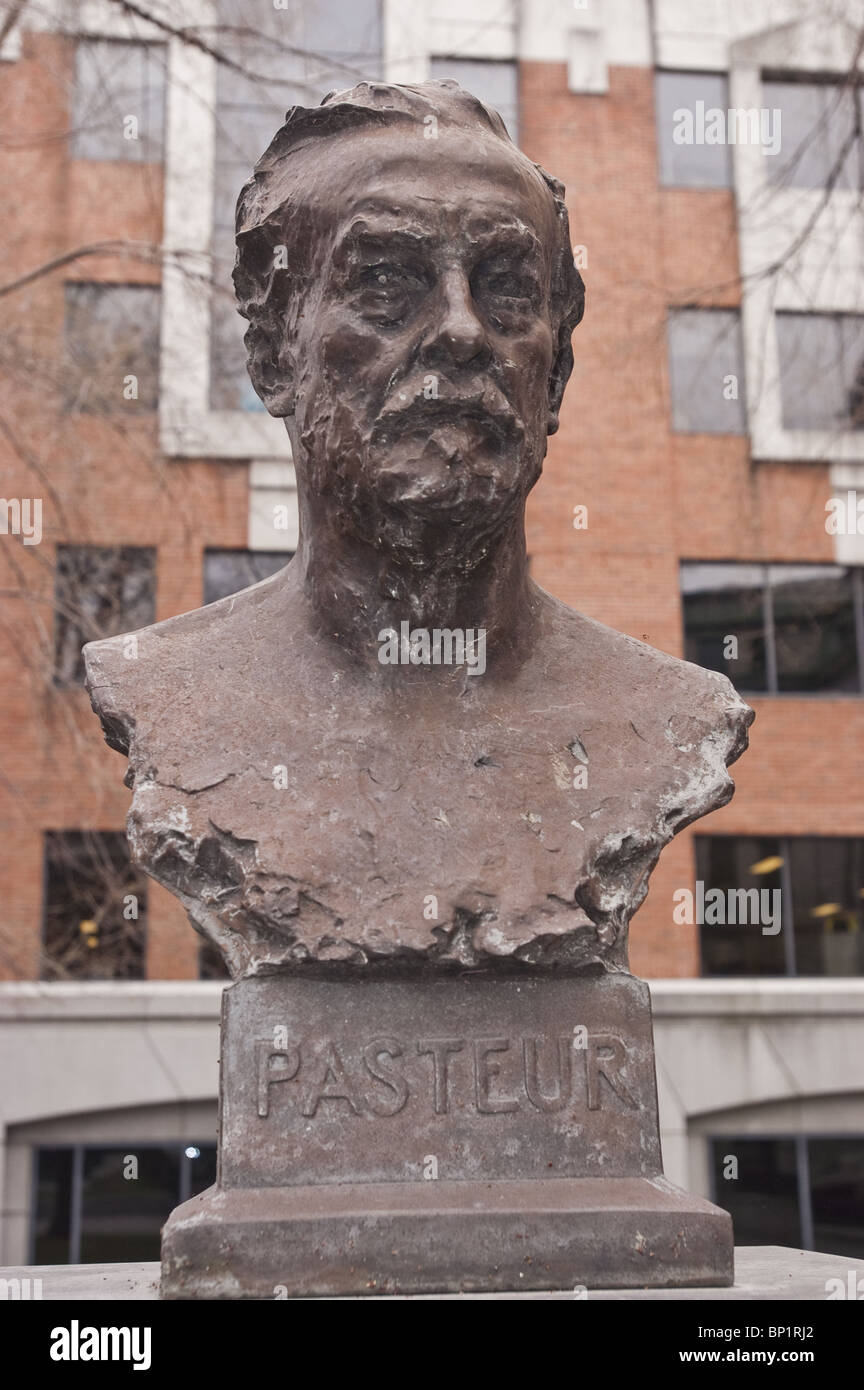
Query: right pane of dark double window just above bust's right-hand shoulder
x=815 y=629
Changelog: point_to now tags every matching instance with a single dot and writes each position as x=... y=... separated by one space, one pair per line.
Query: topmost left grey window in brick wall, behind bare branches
x=119 y=105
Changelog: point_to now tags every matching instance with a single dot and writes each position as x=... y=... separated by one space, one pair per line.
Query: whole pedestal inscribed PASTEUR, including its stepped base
x=440 y=1135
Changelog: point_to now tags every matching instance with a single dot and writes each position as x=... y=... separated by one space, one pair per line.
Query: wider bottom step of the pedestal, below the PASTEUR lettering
x=444 y=1236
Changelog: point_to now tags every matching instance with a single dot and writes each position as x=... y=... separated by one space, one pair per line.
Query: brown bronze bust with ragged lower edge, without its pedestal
x=410 y=290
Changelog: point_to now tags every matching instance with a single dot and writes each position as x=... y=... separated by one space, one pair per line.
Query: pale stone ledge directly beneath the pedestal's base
x=762 y=1274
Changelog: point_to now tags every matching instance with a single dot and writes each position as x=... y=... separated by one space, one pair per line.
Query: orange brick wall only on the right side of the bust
x=656 y=498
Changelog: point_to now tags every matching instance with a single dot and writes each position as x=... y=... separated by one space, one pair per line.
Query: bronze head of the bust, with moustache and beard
x=410 y=291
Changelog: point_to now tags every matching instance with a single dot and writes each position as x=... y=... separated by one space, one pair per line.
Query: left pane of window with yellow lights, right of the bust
x=740 y=864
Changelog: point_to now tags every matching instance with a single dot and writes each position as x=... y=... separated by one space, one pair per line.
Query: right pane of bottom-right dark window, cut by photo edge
x=837 y=1185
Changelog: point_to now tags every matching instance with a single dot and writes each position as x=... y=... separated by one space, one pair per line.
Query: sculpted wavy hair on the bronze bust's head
x=270 y=293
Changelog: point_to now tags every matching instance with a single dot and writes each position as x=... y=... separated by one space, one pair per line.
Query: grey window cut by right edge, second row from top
x=822 y=359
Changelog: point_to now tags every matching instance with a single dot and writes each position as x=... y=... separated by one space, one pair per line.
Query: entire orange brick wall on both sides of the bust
x=654 y=498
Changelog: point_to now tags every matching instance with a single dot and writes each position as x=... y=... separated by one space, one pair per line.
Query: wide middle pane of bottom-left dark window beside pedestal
x=122 y=1216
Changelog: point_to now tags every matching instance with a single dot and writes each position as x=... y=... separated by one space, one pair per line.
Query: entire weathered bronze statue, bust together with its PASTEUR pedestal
x=390 y=828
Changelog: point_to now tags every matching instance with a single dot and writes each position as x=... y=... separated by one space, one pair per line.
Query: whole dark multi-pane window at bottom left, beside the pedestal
x=106 y=1204
